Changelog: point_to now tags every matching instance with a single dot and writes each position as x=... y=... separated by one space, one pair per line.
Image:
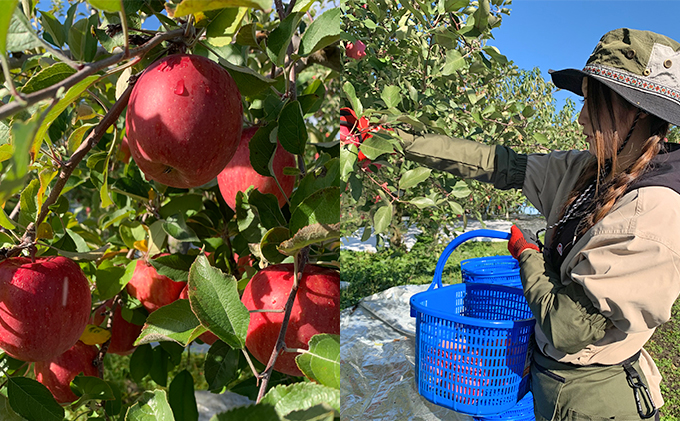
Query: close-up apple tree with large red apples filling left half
x=165 y=263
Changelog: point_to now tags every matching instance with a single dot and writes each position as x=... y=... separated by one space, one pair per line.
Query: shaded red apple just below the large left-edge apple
x=57 y=374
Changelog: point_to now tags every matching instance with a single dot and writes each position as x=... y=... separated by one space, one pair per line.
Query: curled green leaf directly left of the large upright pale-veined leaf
x=173 y=322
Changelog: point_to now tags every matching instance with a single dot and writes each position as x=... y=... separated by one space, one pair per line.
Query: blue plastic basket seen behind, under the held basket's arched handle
x=500 y=270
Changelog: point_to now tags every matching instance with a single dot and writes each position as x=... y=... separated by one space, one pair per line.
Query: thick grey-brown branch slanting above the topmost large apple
x=87 y=70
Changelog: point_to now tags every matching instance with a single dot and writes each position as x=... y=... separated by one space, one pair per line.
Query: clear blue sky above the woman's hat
x=558 y=34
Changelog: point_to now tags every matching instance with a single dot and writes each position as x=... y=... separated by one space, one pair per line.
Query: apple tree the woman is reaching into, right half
x=431 y=67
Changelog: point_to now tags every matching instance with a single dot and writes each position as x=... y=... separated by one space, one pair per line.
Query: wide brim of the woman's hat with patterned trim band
x=571 y=80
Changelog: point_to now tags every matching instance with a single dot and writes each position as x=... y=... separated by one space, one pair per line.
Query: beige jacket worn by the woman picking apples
x=628 y=263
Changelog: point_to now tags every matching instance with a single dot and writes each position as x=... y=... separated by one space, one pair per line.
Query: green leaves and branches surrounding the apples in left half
x=67 y=187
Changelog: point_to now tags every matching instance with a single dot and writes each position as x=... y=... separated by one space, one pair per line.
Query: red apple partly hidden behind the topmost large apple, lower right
x=238 y=175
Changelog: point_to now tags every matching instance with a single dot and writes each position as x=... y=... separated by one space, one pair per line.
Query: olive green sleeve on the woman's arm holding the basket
x=564 y=313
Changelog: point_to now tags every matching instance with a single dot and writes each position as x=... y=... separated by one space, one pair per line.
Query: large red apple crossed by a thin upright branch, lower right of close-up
x=316 y=309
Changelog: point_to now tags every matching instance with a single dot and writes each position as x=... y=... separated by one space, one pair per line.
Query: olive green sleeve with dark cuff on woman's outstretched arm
x=495 y=164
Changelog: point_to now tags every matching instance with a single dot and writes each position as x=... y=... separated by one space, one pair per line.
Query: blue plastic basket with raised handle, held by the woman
x=472 y=341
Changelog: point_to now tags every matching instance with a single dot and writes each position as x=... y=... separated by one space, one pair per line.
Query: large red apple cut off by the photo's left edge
x=44 y=306
